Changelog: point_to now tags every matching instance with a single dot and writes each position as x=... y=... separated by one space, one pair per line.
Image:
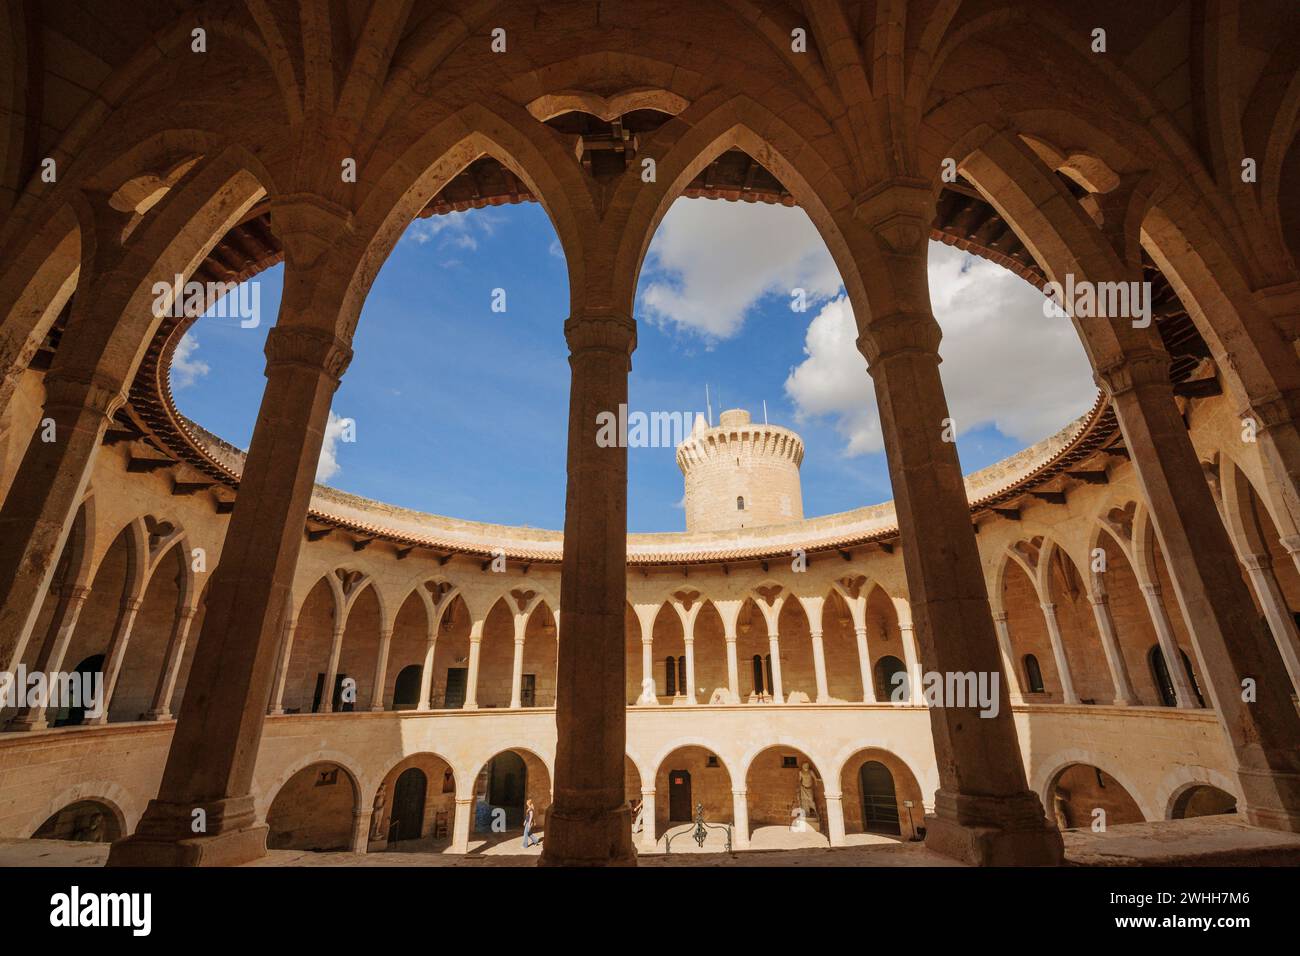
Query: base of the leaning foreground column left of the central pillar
x=166 y=838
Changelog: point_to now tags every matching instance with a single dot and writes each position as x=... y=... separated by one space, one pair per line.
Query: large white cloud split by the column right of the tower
x=1006 y=365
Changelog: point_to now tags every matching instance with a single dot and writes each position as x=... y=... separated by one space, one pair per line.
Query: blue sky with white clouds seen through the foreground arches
x=461 y=410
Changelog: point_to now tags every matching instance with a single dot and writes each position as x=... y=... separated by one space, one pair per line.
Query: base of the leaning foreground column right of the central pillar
x=994 y=832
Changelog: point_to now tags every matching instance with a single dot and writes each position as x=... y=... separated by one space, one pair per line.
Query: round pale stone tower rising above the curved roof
x=740 y=474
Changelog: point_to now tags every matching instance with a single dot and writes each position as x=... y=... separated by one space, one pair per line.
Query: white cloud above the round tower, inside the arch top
x=712 y=262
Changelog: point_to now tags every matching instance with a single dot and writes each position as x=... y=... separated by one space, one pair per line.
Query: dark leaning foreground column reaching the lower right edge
x=1232 y=642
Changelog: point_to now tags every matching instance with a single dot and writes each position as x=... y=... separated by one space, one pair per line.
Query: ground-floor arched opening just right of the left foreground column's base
x=314 y=811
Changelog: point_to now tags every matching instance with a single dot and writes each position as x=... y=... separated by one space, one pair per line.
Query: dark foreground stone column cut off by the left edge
x=42 y=503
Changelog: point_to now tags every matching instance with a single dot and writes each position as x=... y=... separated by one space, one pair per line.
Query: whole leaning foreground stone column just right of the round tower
x=985 y=811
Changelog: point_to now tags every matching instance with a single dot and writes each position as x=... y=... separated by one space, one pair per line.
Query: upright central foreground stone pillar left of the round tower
x=588 y=823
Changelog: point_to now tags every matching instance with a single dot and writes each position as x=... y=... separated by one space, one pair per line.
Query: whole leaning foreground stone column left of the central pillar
x=218 y=737
